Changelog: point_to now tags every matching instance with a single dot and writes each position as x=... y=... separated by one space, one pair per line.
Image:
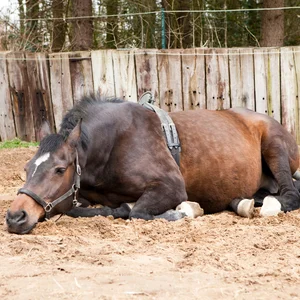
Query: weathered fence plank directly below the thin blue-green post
x=170 y=78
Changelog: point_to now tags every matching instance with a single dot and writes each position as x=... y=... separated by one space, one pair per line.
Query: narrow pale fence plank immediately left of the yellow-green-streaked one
x=261 y=96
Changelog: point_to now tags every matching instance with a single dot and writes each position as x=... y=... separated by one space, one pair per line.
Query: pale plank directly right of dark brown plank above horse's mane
x=103 y=72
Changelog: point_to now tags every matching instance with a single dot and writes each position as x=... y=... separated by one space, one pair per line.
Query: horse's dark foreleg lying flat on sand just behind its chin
x=119 y=212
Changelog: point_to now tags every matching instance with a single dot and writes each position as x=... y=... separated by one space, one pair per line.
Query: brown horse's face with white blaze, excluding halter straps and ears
x=49 y=174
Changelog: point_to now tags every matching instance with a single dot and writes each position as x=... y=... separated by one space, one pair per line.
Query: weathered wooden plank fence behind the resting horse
x=38 y=86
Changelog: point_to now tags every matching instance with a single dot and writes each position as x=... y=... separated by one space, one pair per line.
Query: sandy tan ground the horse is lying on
x=219 y=256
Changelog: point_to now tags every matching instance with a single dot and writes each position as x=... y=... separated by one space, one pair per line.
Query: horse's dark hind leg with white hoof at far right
x=278 y=161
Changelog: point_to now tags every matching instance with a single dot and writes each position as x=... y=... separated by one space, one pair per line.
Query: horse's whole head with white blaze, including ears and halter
x=52 y=180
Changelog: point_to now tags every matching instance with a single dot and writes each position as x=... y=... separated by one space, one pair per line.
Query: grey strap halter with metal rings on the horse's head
x=72 y=191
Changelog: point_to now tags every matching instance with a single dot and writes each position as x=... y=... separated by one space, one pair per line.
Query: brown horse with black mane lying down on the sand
x=112 y=152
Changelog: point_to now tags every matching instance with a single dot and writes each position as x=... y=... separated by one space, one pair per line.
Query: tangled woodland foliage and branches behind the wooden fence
x=47 y=25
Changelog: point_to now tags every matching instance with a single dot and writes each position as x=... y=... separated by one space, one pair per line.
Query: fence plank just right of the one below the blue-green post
x=193 y=79
